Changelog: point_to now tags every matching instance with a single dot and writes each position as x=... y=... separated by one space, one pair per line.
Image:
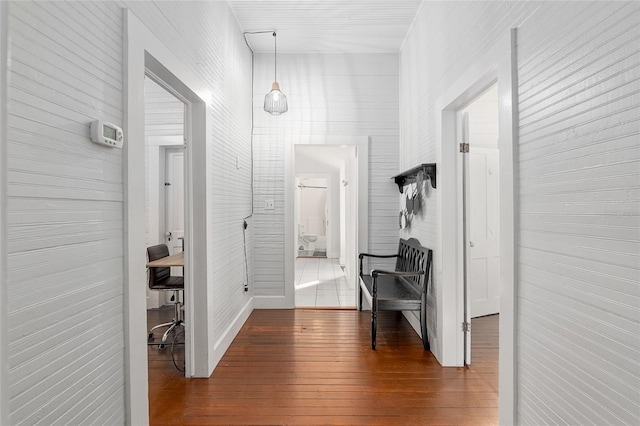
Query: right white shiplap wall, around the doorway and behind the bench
x=579 y=184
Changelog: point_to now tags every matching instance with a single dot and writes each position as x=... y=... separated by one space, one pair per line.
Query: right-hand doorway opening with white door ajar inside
x=479 y=131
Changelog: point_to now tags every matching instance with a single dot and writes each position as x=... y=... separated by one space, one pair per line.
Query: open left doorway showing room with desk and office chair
x=165 y=221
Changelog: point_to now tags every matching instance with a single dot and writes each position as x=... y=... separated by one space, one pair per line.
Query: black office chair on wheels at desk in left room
x=160 y=279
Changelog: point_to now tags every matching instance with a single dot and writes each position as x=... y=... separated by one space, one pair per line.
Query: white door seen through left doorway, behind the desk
x=174 y=202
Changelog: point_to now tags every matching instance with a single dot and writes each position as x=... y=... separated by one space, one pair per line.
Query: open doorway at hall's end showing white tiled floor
x=325 y=216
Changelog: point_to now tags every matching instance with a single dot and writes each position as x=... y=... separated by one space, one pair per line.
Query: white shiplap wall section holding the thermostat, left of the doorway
x=65 y=217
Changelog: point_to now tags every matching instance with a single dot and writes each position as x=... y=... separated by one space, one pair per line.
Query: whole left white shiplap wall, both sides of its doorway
x=65 y=196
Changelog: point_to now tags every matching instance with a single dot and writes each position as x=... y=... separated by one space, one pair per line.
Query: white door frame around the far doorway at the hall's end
x=362 y=151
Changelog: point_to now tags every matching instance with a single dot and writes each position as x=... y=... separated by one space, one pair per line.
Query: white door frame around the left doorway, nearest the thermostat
x=145 y=53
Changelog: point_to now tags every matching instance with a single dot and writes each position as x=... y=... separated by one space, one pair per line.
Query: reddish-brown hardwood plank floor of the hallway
x=316 y=367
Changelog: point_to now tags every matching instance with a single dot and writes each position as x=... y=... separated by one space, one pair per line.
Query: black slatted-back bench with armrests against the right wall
x=404 y=289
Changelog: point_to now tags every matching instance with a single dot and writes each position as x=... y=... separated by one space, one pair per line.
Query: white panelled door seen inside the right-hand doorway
x=484 y=227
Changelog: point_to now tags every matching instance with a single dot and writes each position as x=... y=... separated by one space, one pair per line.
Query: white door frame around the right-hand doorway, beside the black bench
x=499 y=63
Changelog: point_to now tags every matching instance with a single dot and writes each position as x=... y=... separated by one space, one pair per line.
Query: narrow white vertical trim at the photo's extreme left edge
x=4 y=69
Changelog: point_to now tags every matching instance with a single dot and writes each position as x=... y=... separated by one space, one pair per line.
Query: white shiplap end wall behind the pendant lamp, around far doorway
x=336 y=95
